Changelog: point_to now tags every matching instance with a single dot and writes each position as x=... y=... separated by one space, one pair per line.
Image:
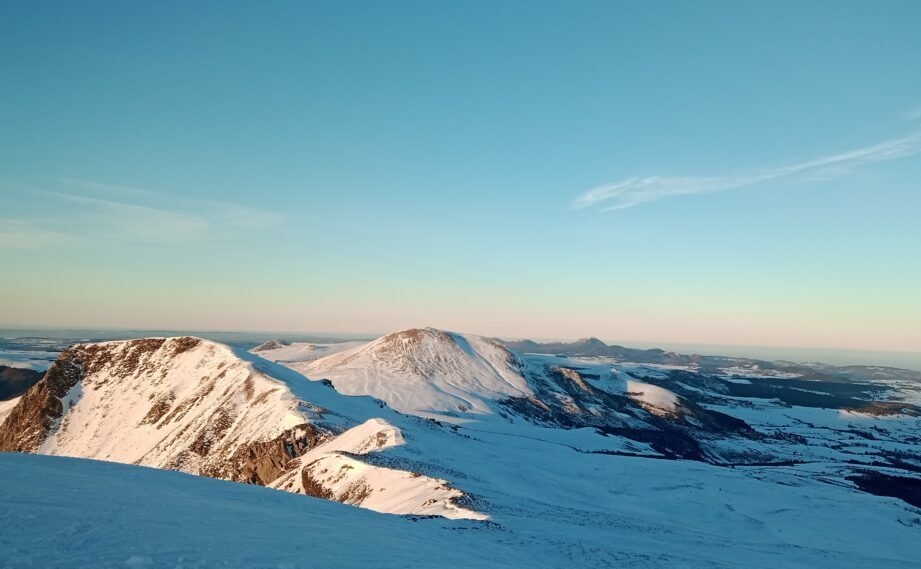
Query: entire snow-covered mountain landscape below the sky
x=427 y=448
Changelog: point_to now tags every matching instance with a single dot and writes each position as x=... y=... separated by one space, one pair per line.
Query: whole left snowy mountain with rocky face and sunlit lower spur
x=196 y=406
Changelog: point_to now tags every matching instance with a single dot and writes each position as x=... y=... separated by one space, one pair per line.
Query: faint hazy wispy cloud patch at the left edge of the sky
x=86 y=210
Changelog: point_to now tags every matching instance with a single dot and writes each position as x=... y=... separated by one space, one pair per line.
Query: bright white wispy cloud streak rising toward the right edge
x=634 y=191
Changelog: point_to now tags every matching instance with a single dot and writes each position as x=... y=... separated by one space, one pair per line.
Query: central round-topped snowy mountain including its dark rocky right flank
x=460 y=378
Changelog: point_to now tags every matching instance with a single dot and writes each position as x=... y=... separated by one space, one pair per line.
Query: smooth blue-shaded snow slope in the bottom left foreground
x=79 y=514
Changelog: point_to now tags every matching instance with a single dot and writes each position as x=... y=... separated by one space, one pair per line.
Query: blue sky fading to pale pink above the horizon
x=737 y=172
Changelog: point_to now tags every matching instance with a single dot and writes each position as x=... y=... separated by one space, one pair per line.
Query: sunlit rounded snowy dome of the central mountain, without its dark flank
x=426 y=372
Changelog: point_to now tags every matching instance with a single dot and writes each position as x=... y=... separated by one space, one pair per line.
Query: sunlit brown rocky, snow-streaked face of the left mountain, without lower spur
x=178 y=403
